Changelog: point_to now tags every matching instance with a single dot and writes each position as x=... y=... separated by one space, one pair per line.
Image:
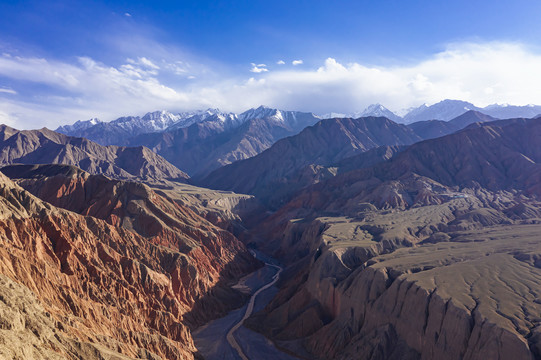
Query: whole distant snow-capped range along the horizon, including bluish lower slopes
x=202 y=141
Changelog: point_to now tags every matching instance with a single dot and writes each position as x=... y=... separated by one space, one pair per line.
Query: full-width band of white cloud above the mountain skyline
x=482 y=73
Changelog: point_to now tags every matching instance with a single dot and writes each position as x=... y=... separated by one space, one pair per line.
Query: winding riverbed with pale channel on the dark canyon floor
x=227 y=338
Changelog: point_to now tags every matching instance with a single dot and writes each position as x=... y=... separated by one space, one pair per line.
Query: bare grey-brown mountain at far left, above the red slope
x=45 y=146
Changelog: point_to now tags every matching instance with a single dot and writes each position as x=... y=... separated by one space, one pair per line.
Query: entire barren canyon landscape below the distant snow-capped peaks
x=393 y=241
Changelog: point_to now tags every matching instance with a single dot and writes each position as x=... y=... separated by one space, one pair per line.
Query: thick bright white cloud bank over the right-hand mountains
x=482 y=73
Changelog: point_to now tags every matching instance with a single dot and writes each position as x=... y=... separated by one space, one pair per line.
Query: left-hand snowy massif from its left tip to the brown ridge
x=198 y=142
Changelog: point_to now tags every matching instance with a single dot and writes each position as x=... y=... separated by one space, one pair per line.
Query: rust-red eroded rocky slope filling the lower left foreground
x=125 y=273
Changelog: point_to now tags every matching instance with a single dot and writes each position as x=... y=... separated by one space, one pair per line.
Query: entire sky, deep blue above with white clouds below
x=67 y=60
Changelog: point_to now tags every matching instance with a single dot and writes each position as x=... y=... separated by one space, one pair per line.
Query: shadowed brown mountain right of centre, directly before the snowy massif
x=325 y=143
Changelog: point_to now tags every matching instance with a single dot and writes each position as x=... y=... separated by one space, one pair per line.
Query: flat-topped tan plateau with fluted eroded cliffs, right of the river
x=392 y=285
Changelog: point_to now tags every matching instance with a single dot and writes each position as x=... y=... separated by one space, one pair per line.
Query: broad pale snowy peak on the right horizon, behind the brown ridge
x=444 y=110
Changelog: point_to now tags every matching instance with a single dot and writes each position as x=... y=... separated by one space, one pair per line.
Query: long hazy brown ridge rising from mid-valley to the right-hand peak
x=324 y=150
